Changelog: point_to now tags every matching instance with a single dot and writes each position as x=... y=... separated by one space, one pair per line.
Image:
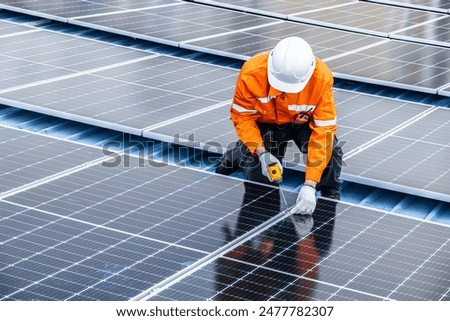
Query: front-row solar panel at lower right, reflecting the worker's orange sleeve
x=356 y=254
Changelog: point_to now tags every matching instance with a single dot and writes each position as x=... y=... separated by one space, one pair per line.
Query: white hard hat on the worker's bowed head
x=291 y=64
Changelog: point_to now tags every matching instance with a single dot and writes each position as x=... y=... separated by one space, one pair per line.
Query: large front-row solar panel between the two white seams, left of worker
x=110 y=231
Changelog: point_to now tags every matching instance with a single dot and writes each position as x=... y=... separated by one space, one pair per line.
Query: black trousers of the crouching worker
x=276 y=138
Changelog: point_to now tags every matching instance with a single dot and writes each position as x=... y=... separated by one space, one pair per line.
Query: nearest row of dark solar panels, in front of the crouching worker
x=78 y=225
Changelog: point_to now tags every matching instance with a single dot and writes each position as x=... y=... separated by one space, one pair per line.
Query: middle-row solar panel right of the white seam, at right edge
x=411 y=159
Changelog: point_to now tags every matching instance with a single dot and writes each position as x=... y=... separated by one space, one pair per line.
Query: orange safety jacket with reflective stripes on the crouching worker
x=256 y=101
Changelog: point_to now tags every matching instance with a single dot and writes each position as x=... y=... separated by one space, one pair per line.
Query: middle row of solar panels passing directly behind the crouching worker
x=183 y=101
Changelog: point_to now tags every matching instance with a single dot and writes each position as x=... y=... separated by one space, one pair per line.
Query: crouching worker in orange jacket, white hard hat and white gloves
x=287 y=94
